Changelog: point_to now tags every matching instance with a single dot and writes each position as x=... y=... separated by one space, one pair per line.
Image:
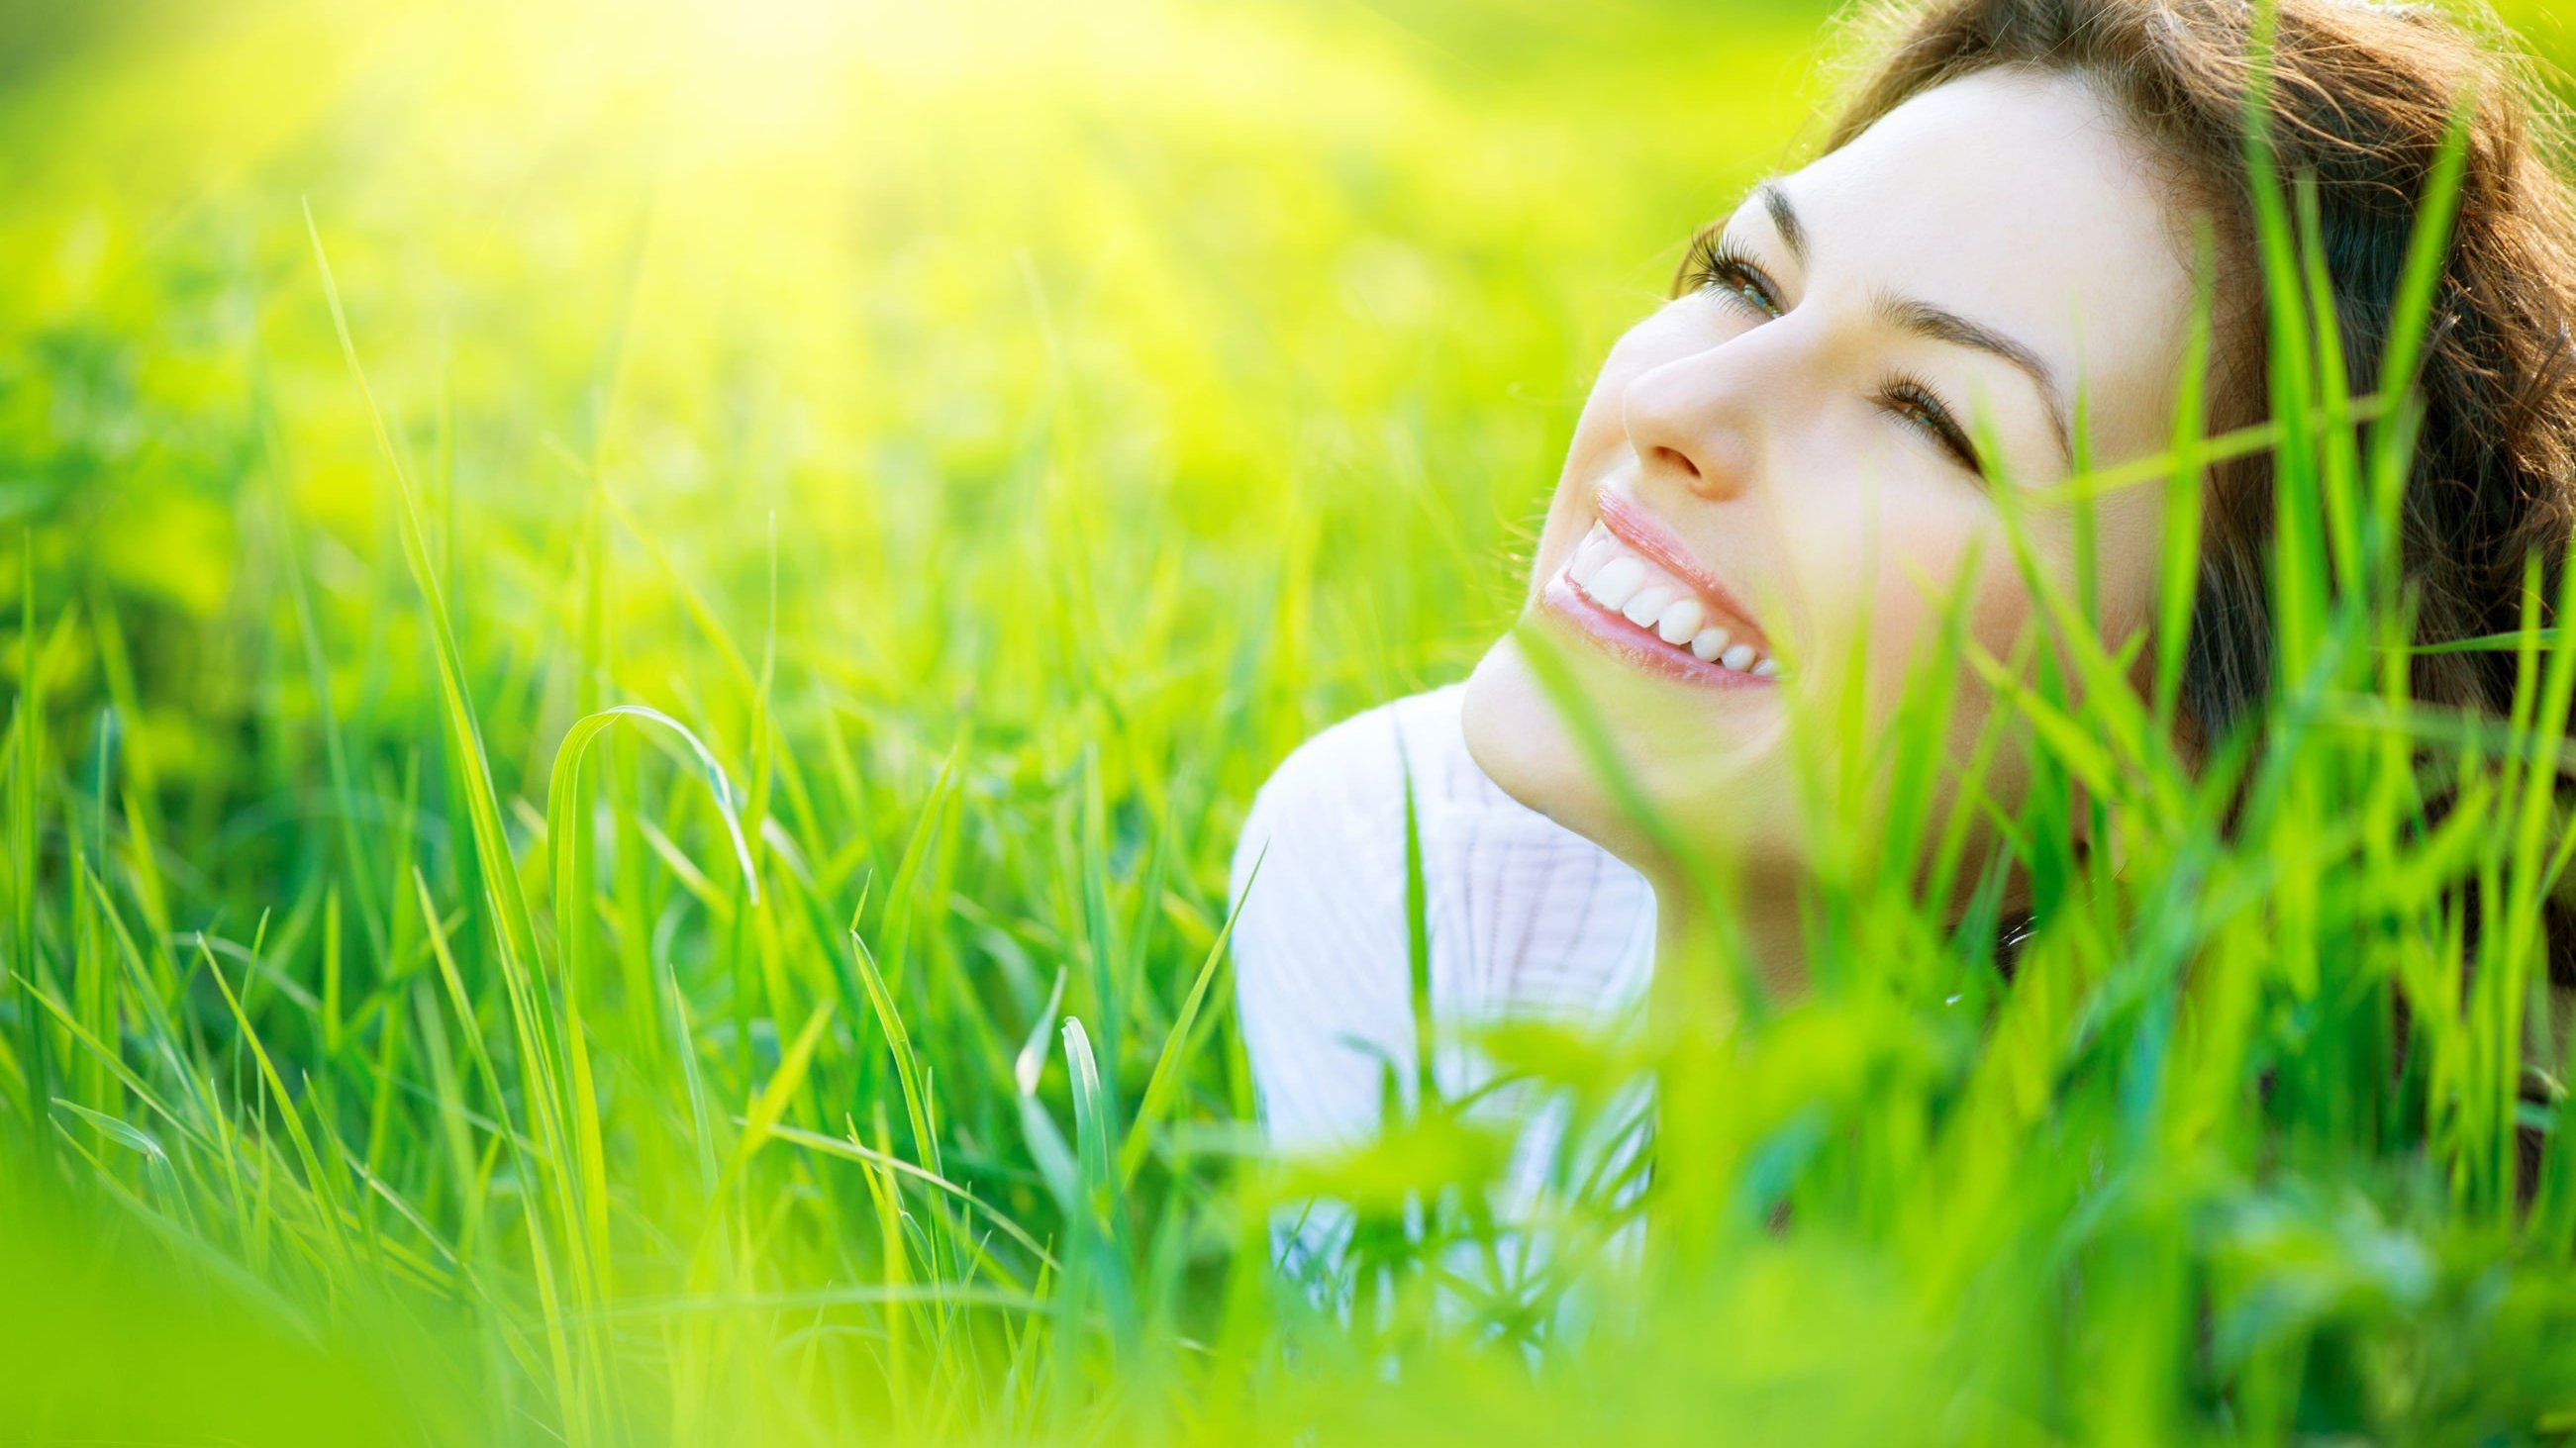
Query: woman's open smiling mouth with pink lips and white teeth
x=1645 y=612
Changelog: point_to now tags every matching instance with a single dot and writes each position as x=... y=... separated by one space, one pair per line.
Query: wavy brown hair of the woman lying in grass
x=2361 y=99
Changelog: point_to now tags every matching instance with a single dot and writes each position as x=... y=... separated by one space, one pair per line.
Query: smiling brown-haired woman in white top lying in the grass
x=1982 y=280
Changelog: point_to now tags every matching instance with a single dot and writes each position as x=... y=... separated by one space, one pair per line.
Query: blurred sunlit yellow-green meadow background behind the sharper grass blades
x=1083 y=354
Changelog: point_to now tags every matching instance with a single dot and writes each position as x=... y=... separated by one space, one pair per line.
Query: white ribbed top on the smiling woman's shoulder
x=1526 y=919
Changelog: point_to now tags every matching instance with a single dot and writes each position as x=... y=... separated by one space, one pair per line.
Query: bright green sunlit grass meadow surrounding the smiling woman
x=638 y=640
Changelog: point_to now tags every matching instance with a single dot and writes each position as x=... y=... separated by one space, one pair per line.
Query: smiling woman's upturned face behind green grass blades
x=1786 y=460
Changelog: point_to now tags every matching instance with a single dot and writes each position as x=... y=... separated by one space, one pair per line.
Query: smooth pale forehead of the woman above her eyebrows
x=2021 y=202
